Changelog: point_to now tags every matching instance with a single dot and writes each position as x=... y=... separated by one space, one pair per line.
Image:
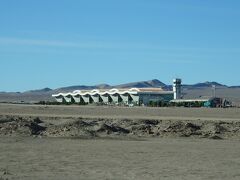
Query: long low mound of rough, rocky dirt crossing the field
x=10 y=126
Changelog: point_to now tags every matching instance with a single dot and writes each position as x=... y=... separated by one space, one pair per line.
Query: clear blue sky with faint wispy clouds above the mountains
x=53 y=43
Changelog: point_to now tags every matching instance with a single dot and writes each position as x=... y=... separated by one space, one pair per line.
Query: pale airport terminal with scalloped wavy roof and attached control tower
x=136 y=96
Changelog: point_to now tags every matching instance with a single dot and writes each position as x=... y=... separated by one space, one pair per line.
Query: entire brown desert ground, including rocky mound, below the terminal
x=96 y=142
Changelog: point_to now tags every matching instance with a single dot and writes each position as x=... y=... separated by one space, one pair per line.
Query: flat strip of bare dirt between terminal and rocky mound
x=120 y=112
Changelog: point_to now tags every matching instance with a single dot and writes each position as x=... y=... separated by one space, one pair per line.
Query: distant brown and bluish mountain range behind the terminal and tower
x=189 y=91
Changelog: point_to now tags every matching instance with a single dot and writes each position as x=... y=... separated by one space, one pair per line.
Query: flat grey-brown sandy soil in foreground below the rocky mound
x=48 y=158
